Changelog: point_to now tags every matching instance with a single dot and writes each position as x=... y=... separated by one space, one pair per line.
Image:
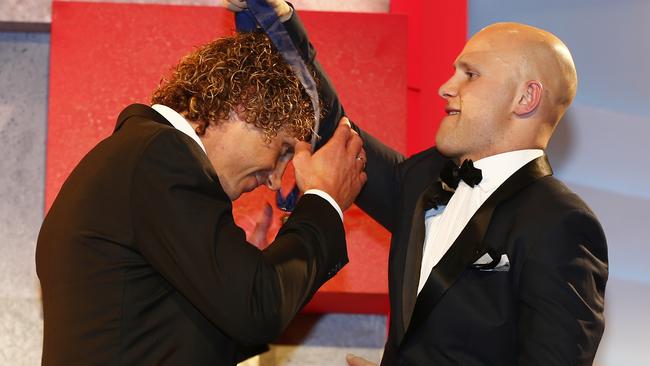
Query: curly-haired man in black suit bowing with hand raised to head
x=139 y=258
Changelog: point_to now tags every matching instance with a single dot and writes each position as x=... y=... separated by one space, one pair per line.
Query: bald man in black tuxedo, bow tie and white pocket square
x=498 y=262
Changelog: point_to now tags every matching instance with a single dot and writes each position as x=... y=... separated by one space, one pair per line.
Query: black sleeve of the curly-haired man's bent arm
x=185 y=229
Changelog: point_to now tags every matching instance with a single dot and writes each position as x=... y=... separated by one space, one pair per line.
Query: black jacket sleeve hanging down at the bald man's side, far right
x=562 y=288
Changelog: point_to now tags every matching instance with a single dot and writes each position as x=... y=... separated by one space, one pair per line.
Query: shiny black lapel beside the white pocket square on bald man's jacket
x=469 y=244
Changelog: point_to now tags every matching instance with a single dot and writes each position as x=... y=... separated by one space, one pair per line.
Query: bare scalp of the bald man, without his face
x=535 y=54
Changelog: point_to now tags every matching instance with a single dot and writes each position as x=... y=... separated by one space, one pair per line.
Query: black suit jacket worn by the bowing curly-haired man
x=141 y=263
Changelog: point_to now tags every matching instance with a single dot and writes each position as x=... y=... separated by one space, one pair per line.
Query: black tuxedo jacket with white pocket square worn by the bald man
x=547 y=309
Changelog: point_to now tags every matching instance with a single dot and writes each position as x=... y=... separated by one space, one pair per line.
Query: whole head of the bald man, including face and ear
x=511 y=85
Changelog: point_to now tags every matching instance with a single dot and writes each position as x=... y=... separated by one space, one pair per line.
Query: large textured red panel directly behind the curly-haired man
x=106 y=56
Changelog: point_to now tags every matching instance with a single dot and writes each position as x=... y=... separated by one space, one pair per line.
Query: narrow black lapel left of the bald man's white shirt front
x=413 y=260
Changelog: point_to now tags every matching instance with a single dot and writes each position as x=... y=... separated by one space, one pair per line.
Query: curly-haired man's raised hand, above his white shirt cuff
x=337 y=168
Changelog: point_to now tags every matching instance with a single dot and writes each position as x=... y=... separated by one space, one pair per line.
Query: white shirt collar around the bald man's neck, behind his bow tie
x=497 y=168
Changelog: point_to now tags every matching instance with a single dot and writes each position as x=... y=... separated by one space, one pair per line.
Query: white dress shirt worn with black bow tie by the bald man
x=443 y=228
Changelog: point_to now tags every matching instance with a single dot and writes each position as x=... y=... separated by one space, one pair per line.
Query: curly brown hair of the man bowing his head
x=244 y=74
